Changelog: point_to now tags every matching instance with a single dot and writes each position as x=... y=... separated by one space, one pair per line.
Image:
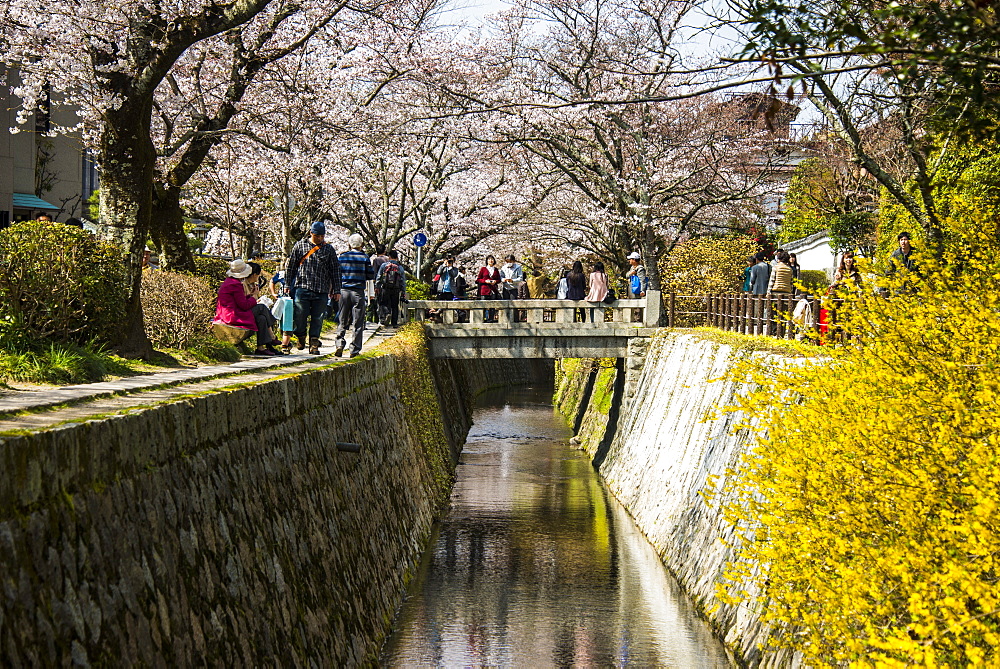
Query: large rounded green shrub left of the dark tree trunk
x=61 y=283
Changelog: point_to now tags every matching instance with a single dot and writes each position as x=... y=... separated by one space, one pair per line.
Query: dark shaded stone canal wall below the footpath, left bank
x=225 y=528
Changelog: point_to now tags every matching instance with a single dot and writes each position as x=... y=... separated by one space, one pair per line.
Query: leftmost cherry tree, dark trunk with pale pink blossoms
x=107 y=59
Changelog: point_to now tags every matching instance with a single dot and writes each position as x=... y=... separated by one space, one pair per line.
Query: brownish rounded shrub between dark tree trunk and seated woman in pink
x=177 y=307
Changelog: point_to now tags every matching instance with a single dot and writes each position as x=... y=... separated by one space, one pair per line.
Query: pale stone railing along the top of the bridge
x=545 y=313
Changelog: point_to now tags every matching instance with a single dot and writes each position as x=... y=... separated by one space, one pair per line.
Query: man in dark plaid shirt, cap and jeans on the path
x=312 y=278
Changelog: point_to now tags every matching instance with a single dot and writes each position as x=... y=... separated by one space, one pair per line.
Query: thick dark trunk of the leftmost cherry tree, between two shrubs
x=127 y=162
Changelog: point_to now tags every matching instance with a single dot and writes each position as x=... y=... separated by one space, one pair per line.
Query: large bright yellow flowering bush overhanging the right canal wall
x=868 y=511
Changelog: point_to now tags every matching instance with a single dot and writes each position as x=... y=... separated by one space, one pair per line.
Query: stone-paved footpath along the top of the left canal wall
x=160 y=385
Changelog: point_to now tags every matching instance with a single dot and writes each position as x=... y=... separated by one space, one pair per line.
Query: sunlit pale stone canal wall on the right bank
x=657 y=448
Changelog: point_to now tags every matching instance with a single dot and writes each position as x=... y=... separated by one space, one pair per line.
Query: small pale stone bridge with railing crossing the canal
x=468 y=329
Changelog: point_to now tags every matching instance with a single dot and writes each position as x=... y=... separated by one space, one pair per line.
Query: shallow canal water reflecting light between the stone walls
x=537 y=565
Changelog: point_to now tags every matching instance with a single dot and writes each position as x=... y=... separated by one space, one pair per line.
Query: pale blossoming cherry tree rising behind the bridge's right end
x=596 y=91
